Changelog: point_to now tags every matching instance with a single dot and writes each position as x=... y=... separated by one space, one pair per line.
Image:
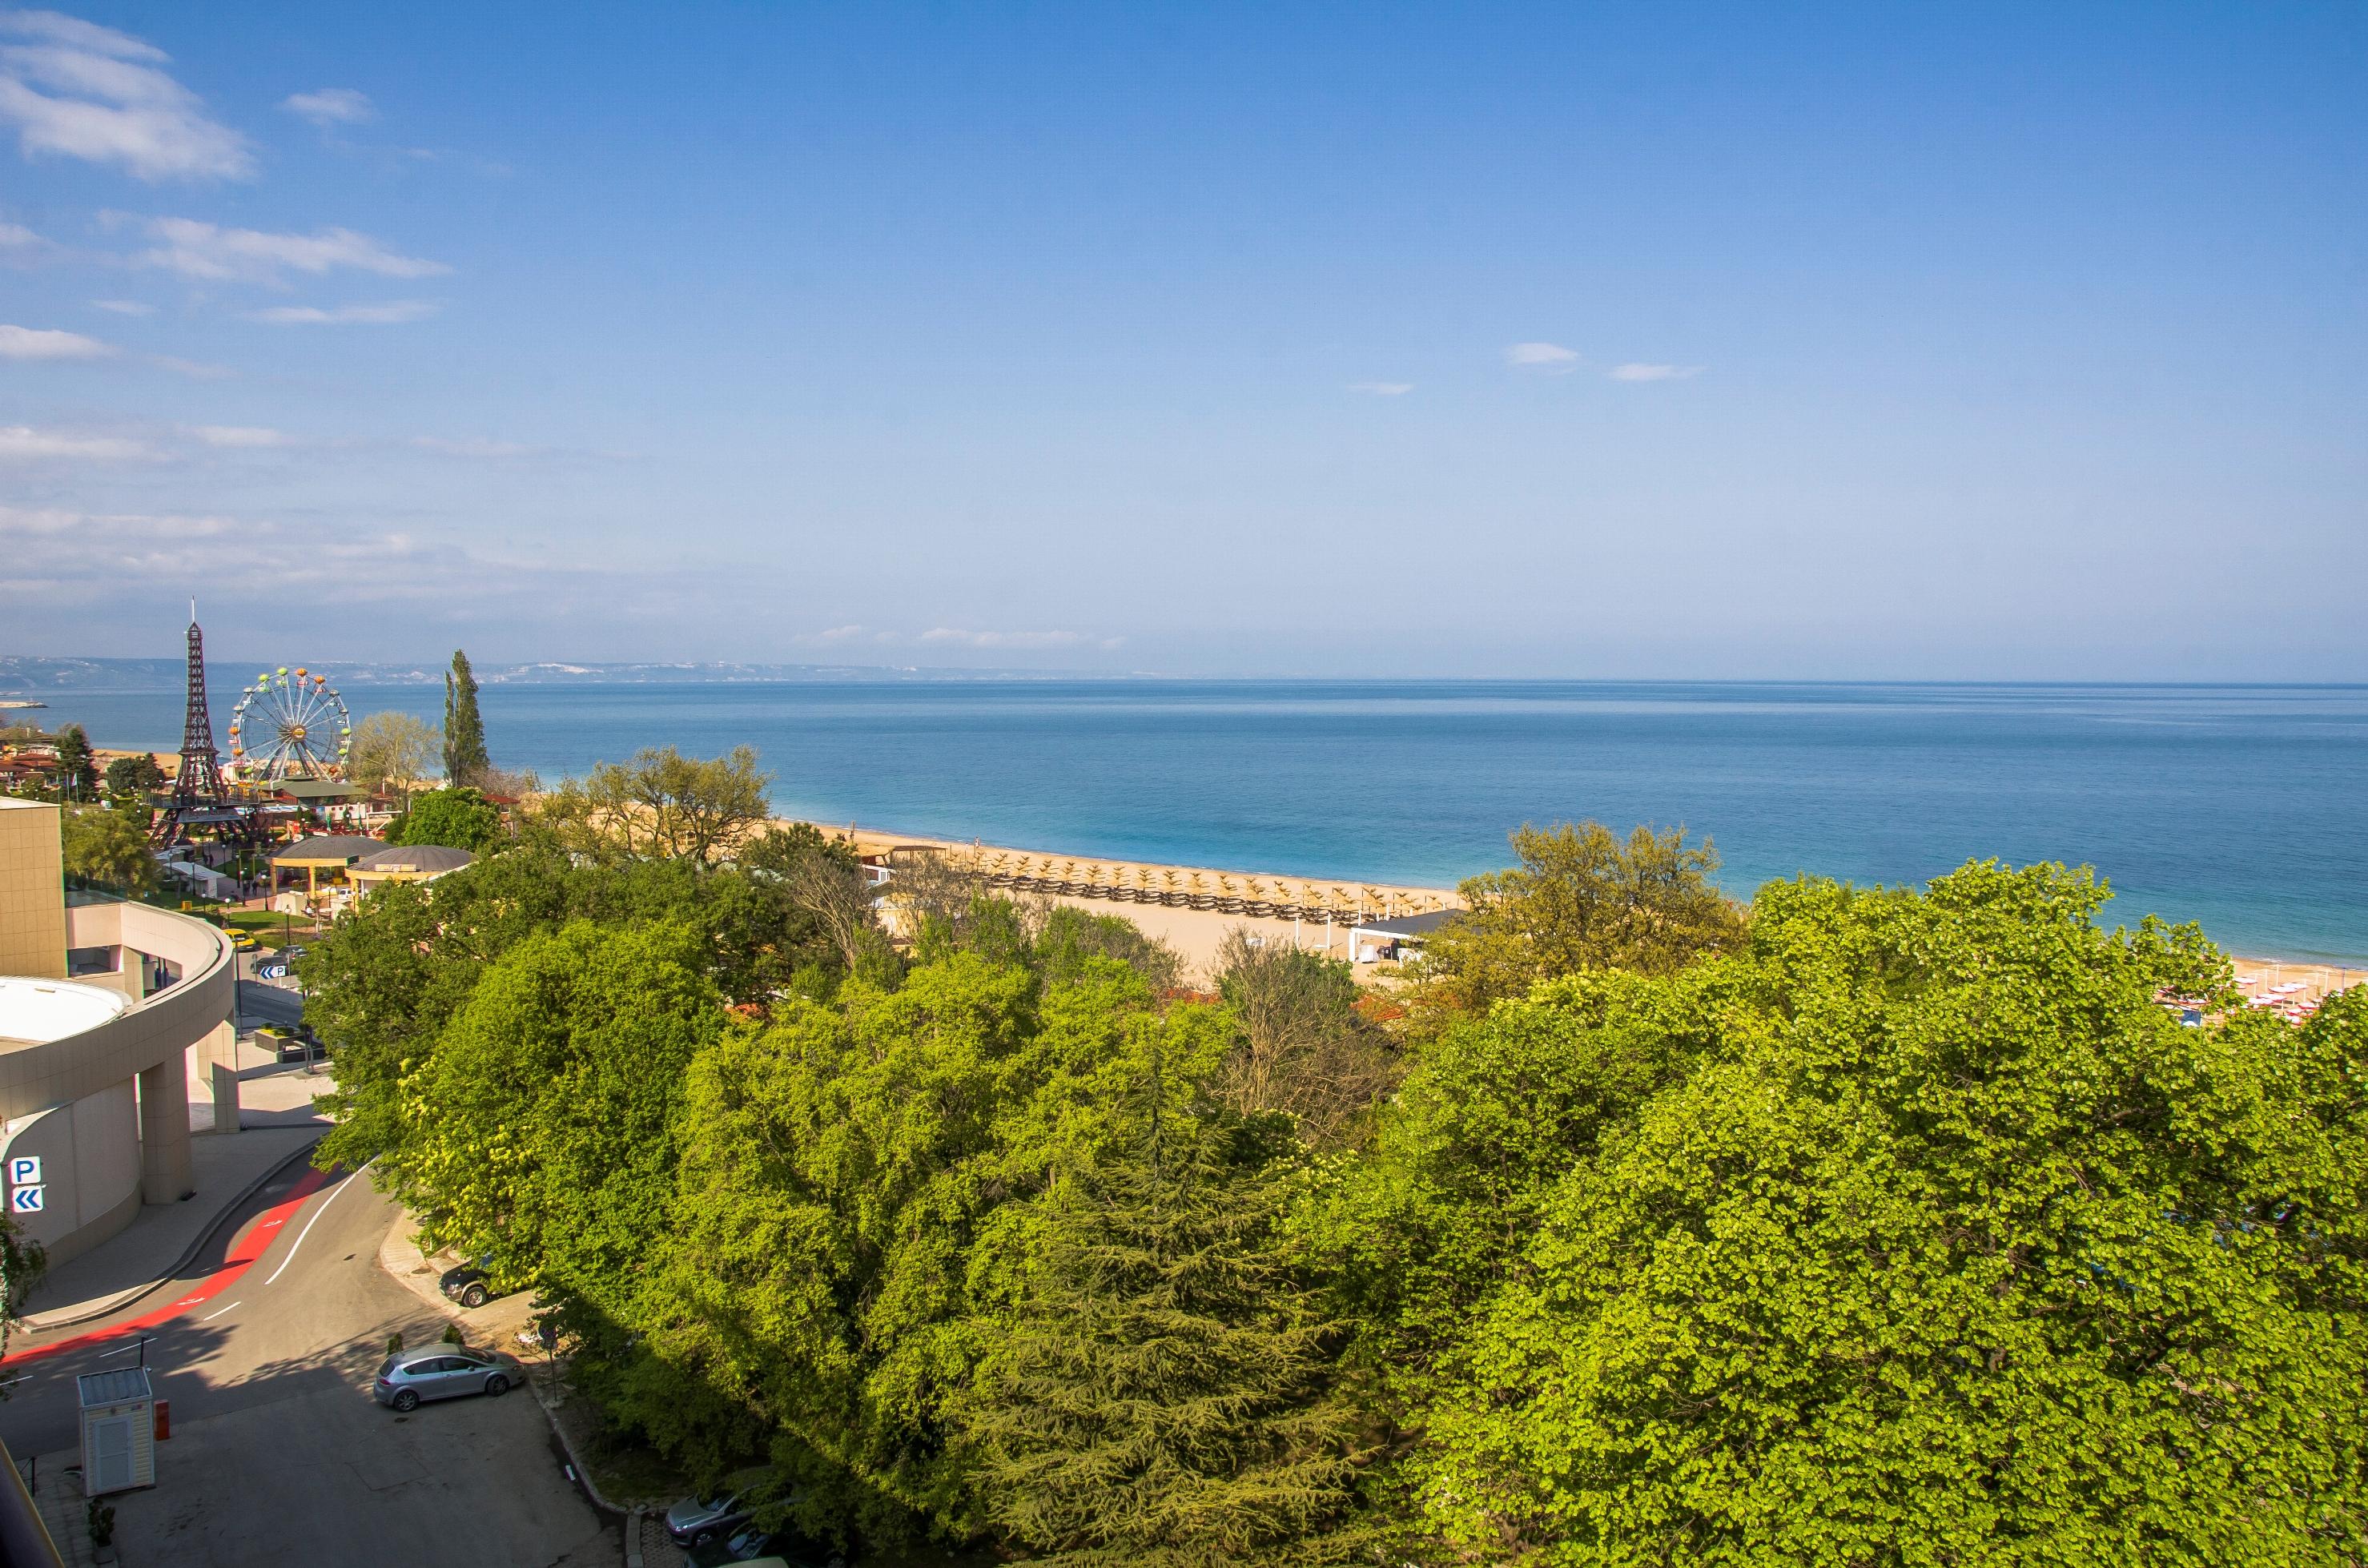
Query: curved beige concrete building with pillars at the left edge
x=96 y=1072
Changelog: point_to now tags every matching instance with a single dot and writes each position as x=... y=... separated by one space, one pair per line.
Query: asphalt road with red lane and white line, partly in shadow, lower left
x=278 y=1451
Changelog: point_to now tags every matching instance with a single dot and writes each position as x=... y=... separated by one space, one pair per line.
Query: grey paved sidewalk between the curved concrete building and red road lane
x=157 y=1245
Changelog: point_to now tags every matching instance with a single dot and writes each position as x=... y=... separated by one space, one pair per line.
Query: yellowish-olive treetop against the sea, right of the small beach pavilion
x=1581 y=901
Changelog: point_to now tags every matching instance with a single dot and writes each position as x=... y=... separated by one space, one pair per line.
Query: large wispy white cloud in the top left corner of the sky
x=94 y=94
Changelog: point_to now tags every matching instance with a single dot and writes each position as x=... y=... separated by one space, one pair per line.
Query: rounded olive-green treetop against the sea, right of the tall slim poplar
x=662 y=804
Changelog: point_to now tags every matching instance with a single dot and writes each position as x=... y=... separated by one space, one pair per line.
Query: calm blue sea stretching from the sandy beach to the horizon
x=2244 y=809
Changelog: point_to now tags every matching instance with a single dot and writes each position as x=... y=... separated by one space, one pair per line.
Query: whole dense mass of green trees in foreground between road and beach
x=1888 y=1228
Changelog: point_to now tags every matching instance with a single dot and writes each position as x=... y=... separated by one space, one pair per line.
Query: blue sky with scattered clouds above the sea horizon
x=1758 y=342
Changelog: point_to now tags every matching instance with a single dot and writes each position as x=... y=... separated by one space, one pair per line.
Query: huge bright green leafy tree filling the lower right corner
x=1924 y=1235
